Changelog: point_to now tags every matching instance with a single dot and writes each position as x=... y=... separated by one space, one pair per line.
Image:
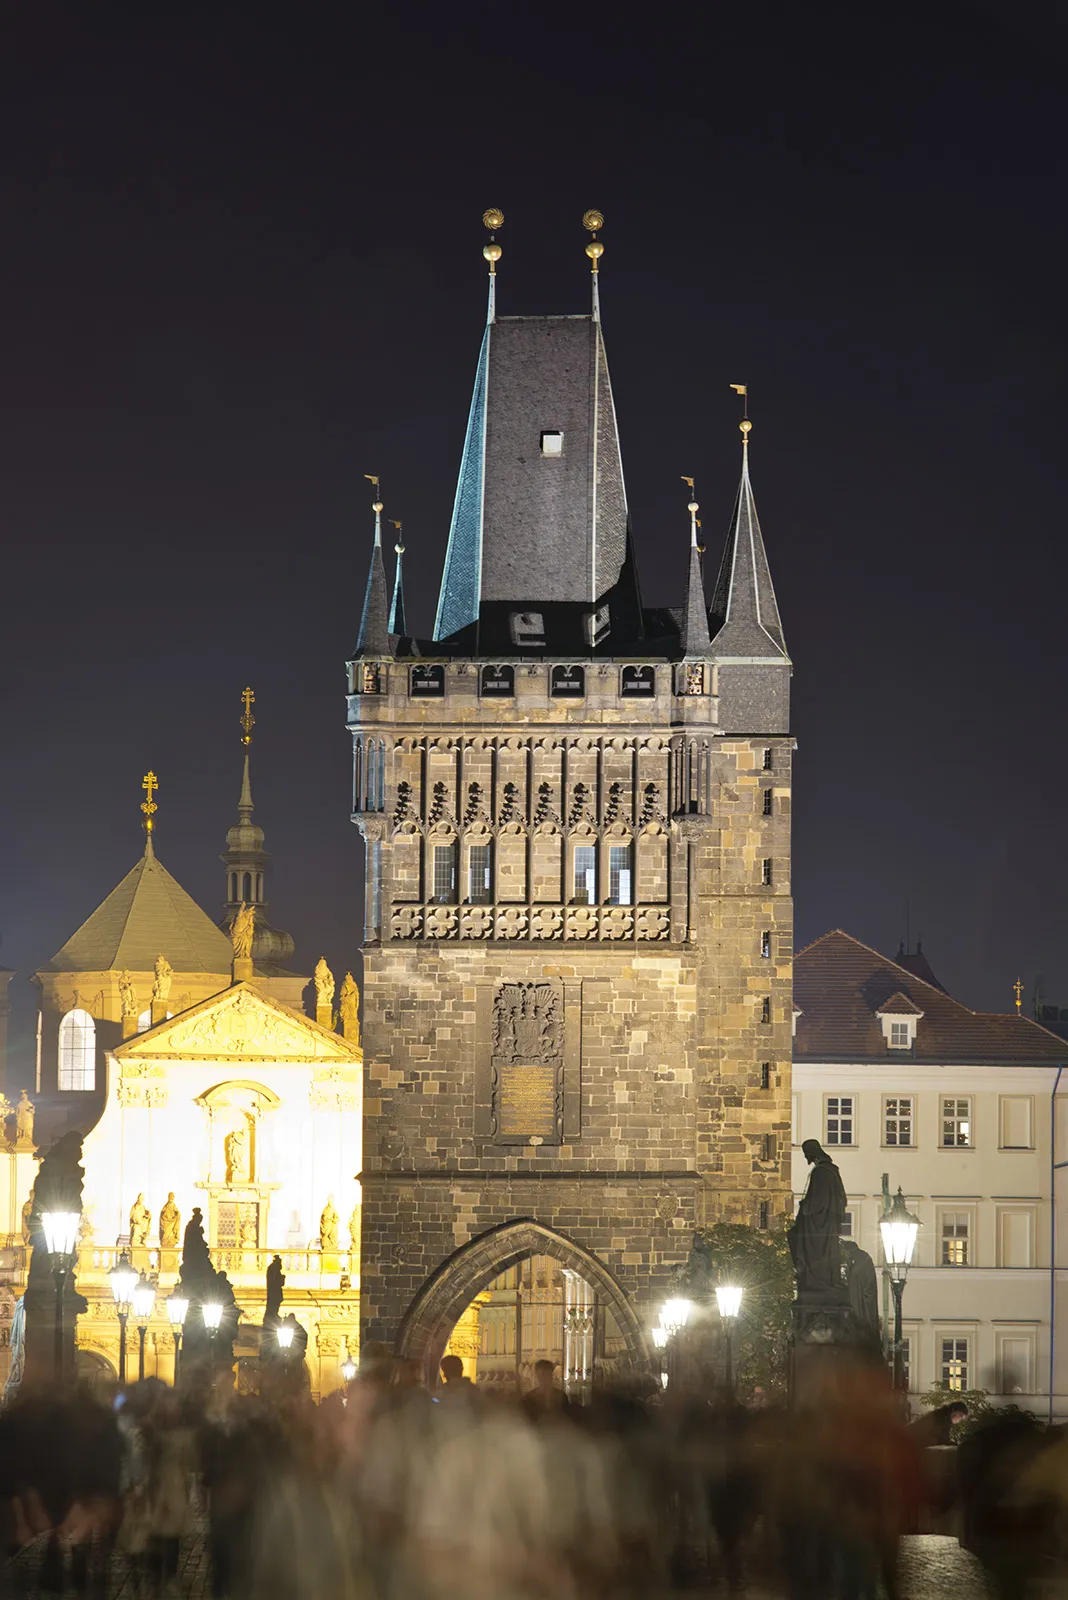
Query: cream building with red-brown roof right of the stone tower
x=960 y=1110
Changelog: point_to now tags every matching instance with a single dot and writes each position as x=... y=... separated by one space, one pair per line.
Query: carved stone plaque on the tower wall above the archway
x=528 y=1058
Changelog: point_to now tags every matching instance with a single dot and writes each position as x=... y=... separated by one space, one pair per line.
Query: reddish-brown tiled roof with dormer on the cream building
x=840 y=985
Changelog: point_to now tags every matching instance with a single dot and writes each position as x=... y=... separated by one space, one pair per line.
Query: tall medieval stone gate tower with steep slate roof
x=578 y=924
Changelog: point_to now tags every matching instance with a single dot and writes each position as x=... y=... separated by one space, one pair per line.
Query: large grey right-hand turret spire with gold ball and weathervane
x=744 y=610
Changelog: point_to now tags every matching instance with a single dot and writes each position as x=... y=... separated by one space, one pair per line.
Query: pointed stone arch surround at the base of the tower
x=440 y=1303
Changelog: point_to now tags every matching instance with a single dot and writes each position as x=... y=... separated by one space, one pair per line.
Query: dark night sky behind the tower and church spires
x=242 y=266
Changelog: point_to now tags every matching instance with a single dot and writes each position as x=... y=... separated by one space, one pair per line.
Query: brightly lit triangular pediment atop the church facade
x=241 y=1025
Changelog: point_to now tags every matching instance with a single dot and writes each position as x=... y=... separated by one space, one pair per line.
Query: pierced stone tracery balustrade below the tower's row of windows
x=516 y=922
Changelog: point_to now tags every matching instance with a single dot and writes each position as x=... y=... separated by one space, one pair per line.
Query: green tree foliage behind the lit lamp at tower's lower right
x=760 y=1263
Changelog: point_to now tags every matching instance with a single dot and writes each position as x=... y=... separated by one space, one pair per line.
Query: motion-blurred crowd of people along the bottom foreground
x=389 y=1492
